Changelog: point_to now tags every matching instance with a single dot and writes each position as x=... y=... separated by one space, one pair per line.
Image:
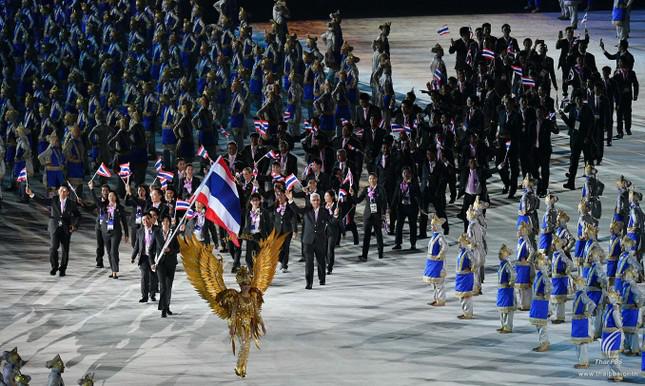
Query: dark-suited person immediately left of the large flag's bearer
x=144 y=249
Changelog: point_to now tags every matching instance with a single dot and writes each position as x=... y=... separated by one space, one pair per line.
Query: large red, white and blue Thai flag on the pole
x=221 y=199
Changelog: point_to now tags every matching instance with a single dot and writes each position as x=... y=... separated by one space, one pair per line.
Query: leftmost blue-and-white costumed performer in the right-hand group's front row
x=435 y=271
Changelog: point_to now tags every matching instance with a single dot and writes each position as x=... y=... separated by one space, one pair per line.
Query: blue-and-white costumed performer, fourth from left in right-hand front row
x=539 y=313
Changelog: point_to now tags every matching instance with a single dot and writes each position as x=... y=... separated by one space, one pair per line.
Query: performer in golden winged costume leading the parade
x=240 y=308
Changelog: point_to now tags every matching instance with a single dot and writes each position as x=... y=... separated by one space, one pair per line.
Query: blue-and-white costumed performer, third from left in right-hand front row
x=505 y=291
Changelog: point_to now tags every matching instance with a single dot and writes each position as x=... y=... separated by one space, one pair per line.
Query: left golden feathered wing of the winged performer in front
x=205 y=272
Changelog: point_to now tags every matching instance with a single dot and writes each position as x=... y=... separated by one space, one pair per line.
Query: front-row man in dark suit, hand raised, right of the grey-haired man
x=373 y=213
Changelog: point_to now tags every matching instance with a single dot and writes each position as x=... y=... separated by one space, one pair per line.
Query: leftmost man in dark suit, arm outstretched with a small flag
x=63 y=221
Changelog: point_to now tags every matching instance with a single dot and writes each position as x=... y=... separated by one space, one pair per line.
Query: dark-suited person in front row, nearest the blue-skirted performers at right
x=406 y=199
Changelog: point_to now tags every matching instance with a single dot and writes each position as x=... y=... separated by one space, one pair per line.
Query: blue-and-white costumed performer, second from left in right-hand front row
x=465 y=278
